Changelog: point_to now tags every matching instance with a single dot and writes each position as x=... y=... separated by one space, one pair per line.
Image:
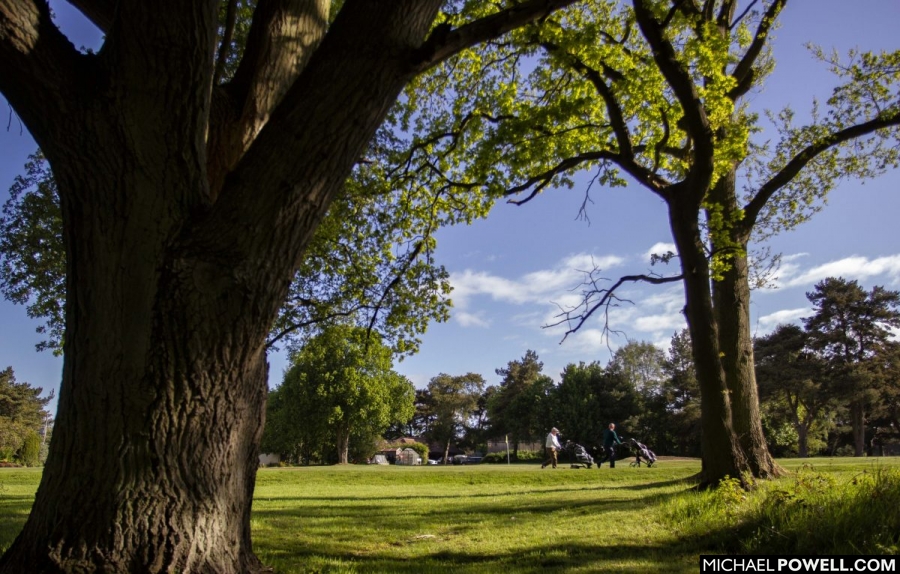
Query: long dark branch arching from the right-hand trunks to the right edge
x=809 y=153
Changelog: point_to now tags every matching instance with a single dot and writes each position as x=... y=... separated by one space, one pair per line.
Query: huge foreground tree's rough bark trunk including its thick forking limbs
x=178 y=263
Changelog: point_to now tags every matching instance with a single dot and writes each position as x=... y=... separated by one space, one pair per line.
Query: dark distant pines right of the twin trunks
x=832 y=386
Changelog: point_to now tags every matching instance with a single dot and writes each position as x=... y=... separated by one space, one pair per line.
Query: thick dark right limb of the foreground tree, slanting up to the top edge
x=273 y=199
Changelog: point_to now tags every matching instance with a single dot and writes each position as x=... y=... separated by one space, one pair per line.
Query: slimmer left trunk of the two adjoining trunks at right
x=720 y=452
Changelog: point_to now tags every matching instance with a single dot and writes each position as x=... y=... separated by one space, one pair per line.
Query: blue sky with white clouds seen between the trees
x=511 y=270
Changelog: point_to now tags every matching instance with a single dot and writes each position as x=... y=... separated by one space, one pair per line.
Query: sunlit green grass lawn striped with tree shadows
x=496 y=518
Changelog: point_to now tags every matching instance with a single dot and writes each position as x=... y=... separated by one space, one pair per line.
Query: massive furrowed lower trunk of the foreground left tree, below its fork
x=162 y=401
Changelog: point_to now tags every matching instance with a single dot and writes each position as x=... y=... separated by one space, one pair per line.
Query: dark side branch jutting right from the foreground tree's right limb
x=444 y=43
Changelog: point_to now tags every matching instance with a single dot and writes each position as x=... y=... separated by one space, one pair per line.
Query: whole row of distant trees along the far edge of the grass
x=829 y=387
